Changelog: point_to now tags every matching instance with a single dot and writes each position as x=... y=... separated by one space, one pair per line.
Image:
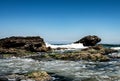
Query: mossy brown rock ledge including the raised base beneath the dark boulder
x=93 y=53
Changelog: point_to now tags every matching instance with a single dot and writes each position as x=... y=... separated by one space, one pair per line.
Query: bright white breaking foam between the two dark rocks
x=68 y=46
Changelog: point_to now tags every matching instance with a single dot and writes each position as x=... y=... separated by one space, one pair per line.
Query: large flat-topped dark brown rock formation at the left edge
x=22 y=44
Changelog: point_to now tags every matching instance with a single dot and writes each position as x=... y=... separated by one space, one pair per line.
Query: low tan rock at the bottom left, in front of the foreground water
x=32 y=76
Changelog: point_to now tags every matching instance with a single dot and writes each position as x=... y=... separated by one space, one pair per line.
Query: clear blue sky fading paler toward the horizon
x=61 y=20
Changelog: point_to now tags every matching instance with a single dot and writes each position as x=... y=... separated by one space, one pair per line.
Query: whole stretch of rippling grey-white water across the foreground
x=101 y=71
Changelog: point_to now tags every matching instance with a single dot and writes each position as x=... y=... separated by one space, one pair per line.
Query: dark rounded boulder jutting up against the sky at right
x=89 y=40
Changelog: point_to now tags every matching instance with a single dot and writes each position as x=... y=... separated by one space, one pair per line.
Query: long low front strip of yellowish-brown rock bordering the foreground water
x=83 y=55
